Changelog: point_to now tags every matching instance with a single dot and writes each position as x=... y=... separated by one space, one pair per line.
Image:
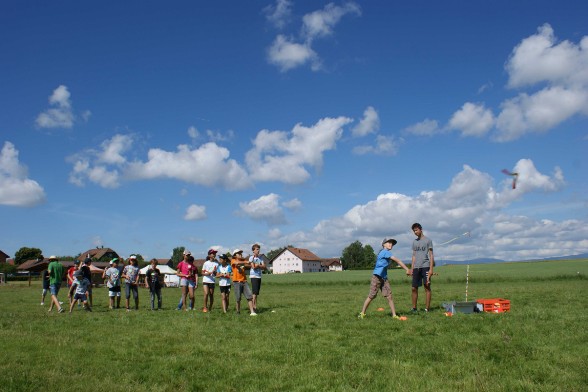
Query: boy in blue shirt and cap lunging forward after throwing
x=380 y=278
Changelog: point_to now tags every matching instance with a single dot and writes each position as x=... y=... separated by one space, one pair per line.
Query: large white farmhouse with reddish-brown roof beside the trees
x=302 y=260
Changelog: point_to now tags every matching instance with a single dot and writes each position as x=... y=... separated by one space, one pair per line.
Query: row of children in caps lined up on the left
x=228 y=272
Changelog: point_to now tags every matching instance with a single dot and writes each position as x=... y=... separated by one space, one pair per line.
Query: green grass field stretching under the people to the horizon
x=307 y=337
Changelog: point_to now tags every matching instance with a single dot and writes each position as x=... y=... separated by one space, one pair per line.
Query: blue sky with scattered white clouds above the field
x=143 y=125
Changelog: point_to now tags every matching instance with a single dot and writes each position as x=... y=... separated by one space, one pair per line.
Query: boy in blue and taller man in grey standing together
x=421 y=271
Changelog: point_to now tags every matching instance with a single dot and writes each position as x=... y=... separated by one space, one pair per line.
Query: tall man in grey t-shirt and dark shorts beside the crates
x=423 y=262
